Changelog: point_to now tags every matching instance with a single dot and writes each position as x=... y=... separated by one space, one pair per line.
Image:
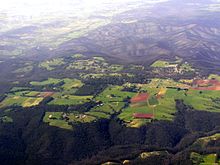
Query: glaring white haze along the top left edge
x=38 y=7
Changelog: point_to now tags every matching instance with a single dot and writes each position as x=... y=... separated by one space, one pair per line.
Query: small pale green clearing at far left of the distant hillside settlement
x=52 y=64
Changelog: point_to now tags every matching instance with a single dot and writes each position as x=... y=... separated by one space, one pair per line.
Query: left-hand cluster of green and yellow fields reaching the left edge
x=27 y=97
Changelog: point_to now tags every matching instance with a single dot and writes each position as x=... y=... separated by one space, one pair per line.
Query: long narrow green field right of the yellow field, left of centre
x=65 y=99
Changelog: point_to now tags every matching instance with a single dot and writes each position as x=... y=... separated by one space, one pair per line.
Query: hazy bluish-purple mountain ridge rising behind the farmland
x=149 y=39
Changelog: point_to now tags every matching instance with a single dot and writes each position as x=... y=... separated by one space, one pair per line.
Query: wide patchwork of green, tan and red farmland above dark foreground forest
x=148 y=102
